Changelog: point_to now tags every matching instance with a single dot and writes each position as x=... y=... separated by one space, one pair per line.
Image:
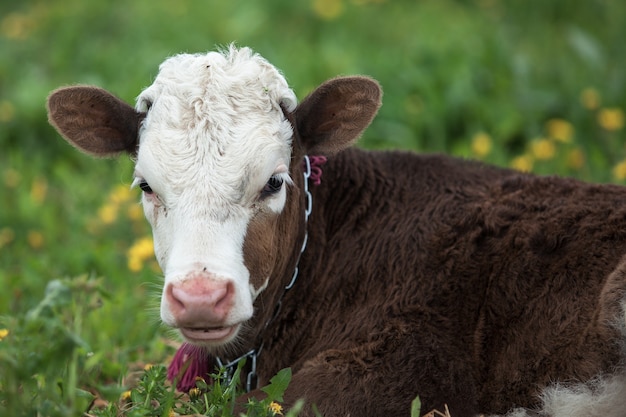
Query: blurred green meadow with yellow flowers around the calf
x=535 y=85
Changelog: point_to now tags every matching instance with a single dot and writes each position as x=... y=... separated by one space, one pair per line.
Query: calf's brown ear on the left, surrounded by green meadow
x=94 y=120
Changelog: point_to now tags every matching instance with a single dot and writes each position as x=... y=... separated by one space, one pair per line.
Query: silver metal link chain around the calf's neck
x=251 y=379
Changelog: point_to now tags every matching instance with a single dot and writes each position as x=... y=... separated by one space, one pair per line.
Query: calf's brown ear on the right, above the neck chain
x=333 y=116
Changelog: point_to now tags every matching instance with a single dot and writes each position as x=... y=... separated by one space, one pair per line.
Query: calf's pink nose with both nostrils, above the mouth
x=200 y=301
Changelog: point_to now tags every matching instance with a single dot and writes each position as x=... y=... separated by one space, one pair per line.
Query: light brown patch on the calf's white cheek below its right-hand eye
x=259 y=250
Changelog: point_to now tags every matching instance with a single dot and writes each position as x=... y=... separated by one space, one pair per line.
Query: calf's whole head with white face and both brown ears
x=218 y=141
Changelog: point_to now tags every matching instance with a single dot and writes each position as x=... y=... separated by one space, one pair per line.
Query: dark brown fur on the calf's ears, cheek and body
x=468 y=285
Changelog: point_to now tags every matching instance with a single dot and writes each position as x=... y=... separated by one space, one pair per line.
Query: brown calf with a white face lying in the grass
x=486 y=289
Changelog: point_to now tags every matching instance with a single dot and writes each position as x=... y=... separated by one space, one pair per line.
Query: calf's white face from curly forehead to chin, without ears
x=213 y=160
